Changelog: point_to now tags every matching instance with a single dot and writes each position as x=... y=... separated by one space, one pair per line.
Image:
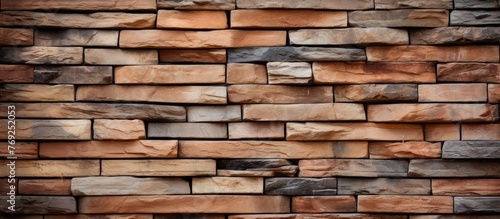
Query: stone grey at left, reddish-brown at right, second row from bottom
x=383 y=186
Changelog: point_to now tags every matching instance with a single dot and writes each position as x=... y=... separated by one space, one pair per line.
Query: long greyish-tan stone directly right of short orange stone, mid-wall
x=188 y=130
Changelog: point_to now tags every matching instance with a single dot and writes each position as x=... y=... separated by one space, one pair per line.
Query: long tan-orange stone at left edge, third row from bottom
x=52 y=168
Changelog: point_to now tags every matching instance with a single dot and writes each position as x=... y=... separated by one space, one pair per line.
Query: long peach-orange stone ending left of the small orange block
x=171 y=74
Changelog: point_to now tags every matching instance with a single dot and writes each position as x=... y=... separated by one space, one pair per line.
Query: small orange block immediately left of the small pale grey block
x=242 y=73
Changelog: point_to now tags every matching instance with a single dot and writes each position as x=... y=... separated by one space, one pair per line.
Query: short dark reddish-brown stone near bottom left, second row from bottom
x=44 y=187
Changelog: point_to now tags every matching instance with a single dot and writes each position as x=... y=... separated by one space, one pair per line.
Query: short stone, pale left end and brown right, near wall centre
x=256 y=130
